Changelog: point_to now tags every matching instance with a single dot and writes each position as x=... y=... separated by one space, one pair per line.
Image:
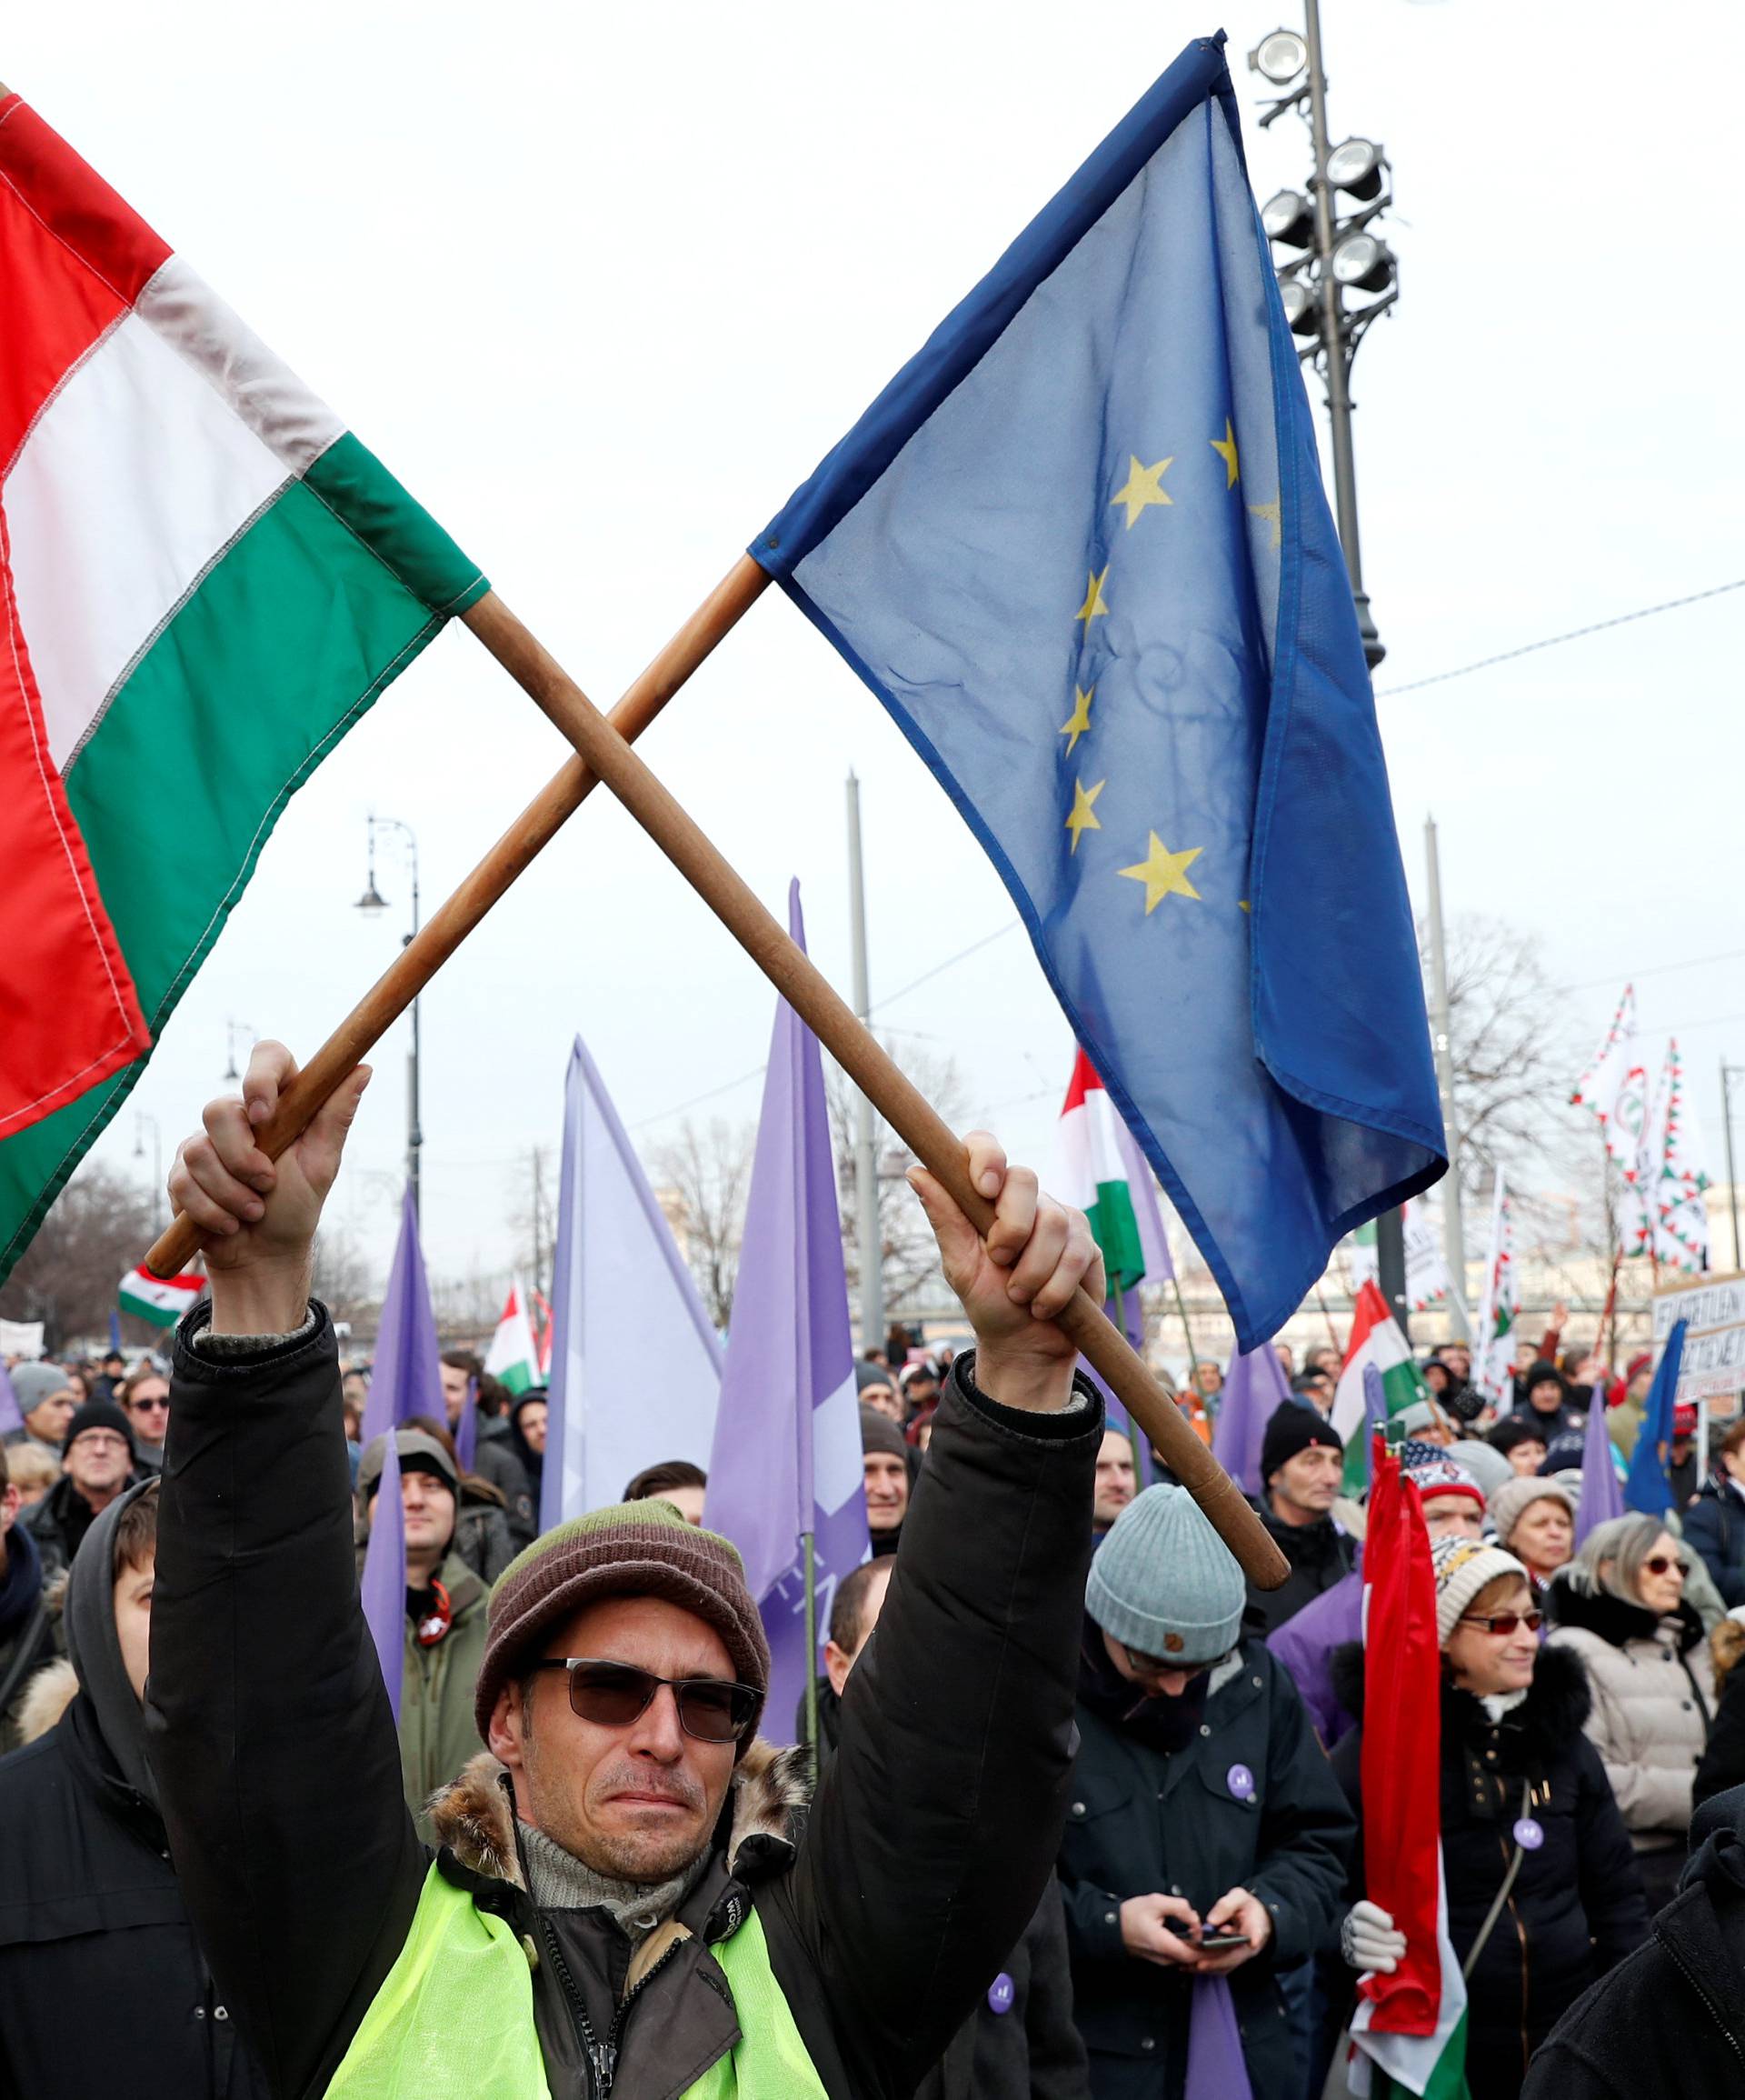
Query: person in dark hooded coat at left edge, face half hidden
x=102 y=1981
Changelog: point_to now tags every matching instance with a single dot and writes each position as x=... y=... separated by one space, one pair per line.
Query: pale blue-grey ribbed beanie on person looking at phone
x=1166 y=1584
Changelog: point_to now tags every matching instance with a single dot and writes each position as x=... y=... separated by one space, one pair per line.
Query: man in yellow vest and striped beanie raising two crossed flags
x=629 y=1897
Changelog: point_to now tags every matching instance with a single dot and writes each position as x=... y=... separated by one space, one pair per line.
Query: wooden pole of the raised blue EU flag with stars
x=442 y=936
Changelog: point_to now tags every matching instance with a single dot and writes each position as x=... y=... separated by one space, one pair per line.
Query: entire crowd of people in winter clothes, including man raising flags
x=1076 y=1778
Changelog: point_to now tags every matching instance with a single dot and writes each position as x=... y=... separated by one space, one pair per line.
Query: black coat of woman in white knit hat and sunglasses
x=1576 y=1908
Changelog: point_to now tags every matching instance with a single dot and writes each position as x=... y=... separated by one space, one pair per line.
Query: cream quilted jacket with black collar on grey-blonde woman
x=1654 y=1698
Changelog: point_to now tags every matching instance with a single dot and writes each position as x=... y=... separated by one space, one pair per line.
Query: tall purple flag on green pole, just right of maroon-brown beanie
x=789 y=1433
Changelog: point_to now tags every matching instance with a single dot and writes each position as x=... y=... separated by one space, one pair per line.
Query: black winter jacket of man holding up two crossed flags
x=270 y=1729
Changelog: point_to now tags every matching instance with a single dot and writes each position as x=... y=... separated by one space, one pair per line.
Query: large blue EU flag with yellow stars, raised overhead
x=1080 y=549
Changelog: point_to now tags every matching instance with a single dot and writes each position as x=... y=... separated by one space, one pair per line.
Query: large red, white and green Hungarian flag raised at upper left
x=205 y=583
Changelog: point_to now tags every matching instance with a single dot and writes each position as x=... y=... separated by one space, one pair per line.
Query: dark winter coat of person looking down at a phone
x=1145 y=1822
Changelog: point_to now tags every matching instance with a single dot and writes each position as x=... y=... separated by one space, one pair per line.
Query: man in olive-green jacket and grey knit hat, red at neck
x=444 y=1614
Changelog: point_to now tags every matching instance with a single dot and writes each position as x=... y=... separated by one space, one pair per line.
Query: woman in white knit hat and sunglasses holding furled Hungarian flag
x=1540 y=1878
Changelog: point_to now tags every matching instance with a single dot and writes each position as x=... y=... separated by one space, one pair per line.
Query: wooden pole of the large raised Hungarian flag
x=860 y=1055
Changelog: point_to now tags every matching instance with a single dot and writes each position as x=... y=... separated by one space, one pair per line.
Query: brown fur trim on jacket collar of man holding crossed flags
x=759 y=1828
